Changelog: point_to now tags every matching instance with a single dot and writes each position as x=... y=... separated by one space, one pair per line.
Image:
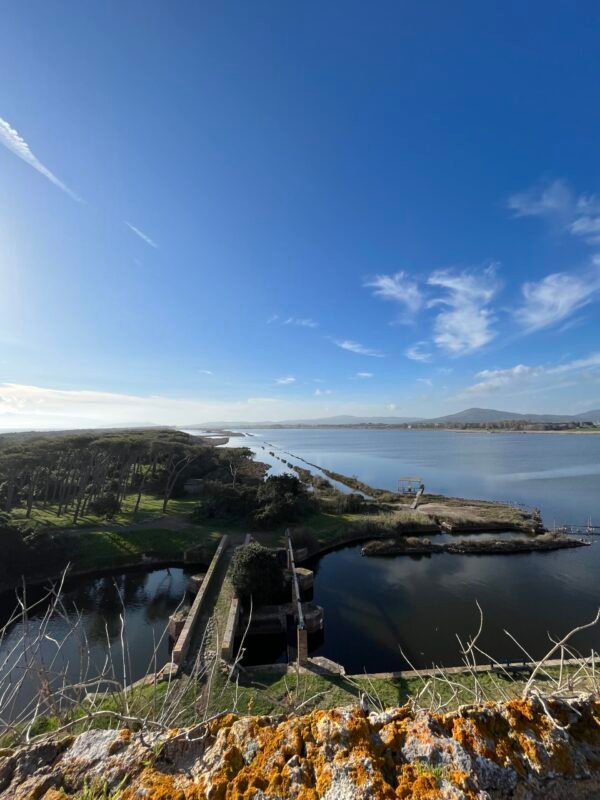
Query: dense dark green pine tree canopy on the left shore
x=93 y=472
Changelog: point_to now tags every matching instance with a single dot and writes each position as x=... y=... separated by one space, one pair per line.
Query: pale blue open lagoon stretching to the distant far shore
x=559 y=473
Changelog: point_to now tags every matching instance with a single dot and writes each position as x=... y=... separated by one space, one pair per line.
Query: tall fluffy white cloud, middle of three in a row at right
x=466 y=322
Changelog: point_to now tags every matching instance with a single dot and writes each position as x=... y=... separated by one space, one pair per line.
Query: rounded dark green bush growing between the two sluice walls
x=257 y=573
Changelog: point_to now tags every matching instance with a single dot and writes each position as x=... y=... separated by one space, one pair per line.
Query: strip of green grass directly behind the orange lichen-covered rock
x=269 y=692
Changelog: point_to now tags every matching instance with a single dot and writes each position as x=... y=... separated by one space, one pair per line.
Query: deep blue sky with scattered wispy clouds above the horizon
x=272 y=210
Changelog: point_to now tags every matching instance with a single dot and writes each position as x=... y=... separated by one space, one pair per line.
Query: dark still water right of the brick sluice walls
x=374 y=607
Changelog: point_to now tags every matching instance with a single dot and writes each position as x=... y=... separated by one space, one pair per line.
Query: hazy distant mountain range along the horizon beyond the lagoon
x=468 y=416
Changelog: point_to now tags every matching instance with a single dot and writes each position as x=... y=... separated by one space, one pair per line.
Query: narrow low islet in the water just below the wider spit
x=410 y=545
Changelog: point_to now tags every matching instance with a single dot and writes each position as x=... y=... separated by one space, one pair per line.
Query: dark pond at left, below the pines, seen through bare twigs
x=90 y=627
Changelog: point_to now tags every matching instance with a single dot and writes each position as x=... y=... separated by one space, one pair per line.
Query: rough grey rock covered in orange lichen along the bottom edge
x=523 y=749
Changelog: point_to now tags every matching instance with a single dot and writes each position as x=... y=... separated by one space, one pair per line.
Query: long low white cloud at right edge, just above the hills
x=522 y=376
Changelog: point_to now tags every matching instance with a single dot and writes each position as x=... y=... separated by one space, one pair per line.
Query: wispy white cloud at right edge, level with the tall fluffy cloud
x=556 y=297
